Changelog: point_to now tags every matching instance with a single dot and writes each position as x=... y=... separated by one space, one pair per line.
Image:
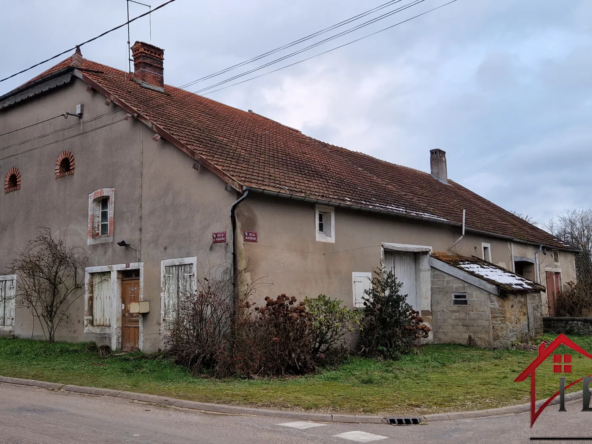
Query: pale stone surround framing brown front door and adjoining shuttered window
x=116 y=325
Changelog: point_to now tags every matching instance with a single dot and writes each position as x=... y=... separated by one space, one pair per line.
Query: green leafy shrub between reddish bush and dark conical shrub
x=331 y=322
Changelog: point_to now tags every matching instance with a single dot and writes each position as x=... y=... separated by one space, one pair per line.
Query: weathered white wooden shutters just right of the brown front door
x=178 y=284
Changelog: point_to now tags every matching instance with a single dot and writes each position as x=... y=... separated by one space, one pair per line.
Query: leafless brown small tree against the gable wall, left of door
x=48 y=272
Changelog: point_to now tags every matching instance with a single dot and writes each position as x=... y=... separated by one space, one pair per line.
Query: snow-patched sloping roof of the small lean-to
x=505 y=280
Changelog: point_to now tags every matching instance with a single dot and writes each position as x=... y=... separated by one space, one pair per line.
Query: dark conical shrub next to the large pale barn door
x=390 y=326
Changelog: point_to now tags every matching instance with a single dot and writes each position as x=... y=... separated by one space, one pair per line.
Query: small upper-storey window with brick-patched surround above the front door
x=100 y=216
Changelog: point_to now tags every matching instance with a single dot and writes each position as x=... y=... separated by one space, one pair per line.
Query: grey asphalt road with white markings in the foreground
x=37 y=416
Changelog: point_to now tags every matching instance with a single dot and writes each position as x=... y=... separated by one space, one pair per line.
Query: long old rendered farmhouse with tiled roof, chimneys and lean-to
x=161 y=186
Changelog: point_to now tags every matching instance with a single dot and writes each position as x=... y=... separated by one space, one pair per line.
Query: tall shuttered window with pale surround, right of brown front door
x=178 y=283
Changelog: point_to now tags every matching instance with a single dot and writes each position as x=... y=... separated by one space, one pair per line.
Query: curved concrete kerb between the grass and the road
x=302 y=416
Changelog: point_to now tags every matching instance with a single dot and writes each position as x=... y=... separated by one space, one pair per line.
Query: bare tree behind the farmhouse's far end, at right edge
x=575 y=228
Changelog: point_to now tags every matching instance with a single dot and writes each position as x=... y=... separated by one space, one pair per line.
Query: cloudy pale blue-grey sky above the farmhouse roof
x=503 y=86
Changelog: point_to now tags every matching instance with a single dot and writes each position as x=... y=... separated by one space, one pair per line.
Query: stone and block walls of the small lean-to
x=491 y=321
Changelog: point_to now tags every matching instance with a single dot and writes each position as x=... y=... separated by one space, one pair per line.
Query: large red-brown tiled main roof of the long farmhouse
x=260 y=153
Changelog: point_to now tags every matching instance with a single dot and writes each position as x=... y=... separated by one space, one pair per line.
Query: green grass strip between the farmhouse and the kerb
x=440 y=378
